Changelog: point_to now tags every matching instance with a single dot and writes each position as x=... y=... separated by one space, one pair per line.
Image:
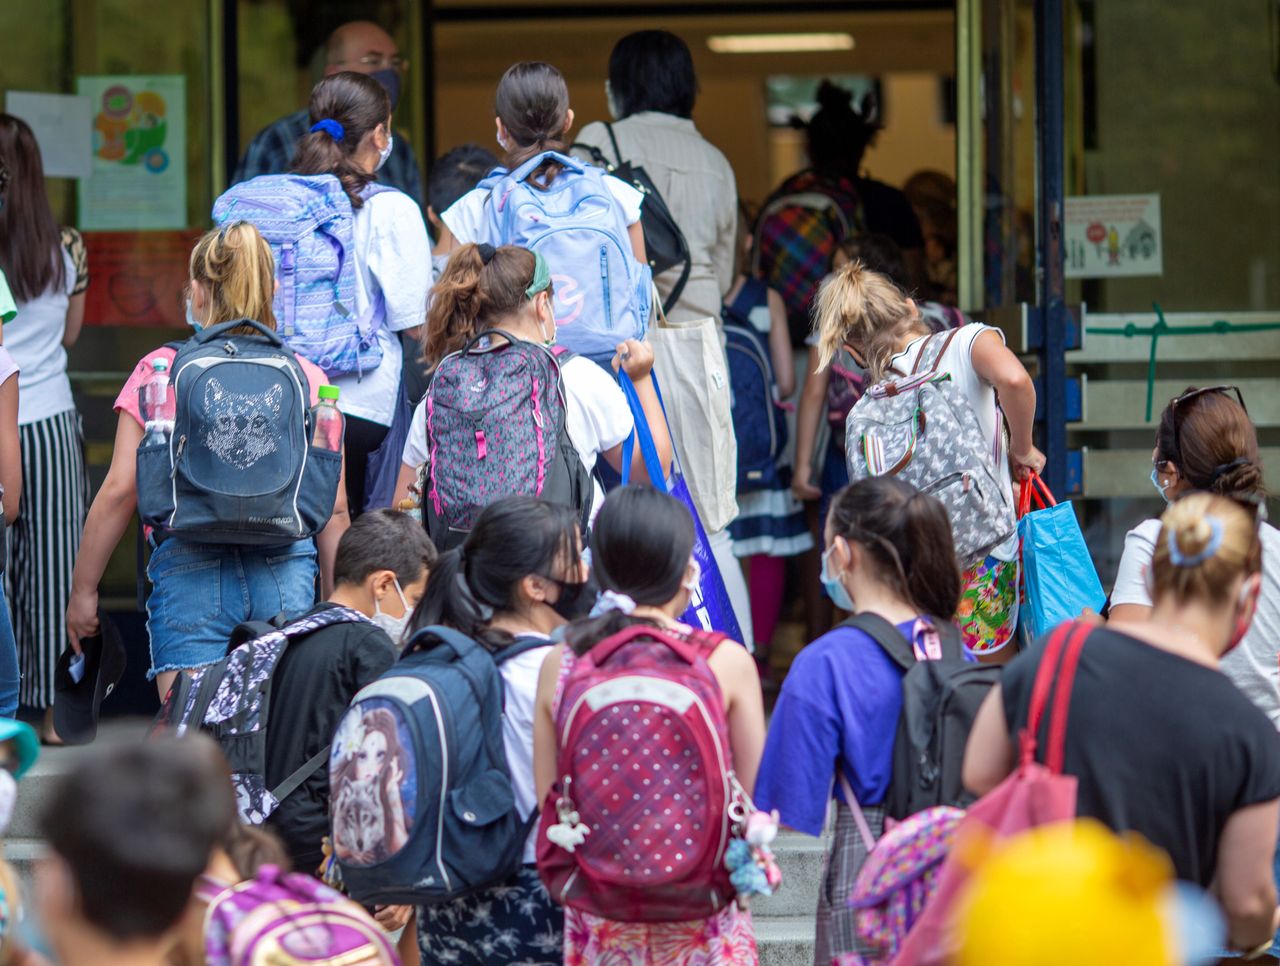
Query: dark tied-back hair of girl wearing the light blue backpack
x=533 y=104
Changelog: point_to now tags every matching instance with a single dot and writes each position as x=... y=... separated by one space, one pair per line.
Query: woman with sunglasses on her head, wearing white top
x=1206 y=443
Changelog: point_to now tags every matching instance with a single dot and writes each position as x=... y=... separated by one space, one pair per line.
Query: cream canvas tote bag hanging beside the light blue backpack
x=689 y=359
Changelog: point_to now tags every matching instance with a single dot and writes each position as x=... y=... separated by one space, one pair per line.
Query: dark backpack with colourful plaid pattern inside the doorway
x=798 y=232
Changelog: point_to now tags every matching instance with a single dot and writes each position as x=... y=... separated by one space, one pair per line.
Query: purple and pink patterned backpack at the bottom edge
x=289 y=918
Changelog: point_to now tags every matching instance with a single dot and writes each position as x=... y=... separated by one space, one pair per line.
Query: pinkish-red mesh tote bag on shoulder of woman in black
x=1032 y=796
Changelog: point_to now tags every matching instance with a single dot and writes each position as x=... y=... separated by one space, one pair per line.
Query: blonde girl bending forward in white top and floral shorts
x=867 y=314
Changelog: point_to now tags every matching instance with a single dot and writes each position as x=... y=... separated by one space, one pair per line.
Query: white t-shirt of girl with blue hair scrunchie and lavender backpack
x=395 y=260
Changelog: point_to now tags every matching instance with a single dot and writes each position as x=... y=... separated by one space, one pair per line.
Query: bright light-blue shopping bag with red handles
x=1059 y=580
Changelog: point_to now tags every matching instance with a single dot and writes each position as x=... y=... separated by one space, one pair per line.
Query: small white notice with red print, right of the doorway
x=1113 y=236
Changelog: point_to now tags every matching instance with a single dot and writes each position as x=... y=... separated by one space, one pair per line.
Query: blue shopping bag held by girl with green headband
x=711 y=607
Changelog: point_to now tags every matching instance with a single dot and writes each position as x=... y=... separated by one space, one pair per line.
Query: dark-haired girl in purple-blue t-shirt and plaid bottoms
x=890 y=555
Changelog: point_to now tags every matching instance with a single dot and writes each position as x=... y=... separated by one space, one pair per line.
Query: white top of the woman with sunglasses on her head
x=1254 y=666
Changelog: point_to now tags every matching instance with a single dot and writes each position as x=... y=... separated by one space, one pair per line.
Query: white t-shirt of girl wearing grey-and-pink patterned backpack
x=597 y=418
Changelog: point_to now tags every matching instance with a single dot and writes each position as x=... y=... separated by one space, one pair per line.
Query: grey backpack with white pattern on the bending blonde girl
x=922 y=429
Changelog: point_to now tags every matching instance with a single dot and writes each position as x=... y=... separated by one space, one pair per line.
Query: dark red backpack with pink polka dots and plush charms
x=644 y=766
